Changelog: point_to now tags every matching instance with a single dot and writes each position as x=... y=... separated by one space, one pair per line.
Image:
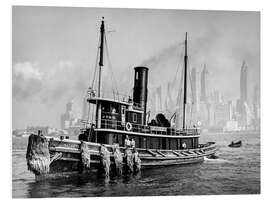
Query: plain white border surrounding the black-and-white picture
x=6 y=96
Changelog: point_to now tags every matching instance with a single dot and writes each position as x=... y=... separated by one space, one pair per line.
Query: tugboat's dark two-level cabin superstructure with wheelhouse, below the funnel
x=120 y=118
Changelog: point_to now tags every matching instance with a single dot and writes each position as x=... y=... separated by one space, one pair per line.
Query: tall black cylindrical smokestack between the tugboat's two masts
x=140 y=89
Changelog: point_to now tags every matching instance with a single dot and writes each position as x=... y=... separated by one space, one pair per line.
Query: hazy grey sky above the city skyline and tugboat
x=54 y=53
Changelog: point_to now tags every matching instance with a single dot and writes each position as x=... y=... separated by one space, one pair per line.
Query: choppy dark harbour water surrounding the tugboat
x=237 y=171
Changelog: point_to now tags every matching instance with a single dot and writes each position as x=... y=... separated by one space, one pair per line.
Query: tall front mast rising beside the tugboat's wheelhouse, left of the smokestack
x=98 y=109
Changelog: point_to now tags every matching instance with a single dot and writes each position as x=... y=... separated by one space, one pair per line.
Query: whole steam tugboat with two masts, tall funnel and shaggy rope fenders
x=119 y=140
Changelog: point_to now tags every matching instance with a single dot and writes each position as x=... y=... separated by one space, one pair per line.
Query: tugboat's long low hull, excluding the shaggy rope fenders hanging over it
x=68 y=157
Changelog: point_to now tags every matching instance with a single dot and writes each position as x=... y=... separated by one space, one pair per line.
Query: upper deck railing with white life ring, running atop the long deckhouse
x=118 y=125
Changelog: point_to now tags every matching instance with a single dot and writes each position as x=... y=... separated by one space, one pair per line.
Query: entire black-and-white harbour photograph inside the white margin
x=113 y=102
